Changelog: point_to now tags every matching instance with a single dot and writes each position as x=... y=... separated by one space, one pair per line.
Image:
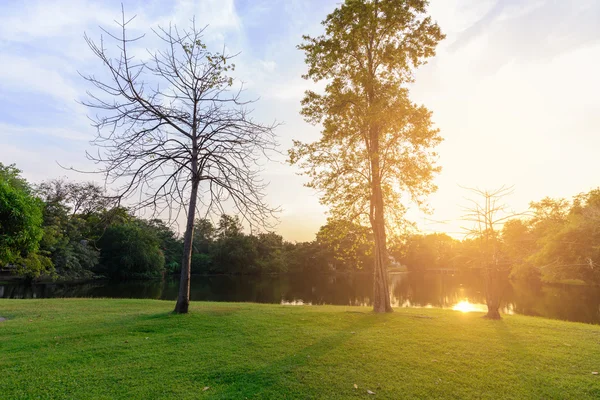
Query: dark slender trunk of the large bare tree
x=183 y=301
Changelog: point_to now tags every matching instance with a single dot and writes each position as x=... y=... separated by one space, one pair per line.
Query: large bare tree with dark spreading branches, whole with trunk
x=174 y=133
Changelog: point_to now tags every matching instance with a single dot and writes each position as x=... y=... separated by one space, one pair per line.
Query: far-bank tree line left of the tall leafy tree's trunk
x=73 y=231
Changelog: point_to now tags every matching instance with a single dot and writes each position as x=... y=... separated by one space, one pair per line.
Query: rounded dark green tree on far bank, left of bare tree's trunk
x=129 y=251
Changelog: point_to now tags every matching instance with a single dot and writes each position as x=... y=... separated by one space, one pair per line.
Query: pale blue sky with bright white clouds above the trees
x=513 y=89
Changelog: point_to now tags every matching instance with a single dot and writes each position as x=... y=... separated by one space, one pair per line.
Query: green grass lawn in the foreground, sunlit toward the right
x=137 y=349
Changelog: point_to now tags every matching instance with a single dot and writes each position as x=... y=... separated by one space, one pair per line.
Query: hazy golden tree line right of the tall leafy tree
x=556 y=241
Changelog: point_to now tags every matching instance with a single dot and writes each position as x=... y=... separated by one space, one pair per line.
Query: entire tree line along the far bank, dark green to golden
x=72 y=231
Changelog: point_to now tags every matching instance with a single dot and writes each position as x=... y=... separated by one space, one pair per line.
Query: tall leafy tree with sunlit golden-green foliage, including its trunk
x=375 y=144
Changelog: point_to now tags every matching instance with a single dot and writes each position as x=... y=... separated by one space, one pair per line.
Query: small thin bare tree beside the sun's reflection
x=488 y=213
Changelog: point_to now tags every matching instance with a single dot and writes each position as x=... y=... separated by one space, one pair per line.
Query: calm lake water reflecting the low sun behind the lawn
x=573 y=303
